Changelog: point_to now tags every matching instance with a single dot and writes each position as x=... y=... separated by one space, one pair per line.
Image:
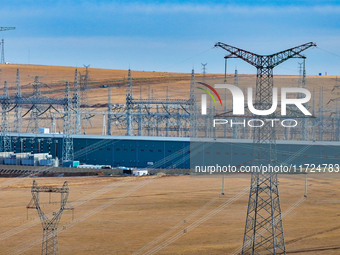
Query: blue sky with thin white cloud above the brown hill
x=169 y=35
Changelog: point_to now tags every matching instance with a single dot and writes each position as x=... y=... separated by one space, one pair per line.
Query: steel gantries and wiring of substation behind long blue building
x=157 y=117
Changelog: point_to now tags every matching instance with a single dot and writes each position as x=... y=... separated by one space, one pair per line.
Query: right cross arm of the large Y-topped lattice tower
x=282 y=56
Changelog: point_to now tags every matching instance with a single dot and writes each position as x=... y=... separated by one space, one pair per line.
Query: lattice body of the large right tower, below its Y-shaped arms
x=263 y=231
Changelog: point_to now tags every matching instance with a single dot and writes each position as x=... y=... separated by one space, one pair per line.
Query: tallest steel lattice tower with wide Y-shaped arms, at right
x=263 y=231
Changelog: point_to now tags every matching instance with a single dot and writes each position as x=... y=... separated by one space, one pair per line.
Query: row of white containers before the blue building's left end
x=28 y=159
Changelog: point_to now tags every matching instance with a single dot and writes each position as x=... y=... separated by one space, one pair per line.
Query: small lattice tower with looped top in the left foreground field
x=50 y=225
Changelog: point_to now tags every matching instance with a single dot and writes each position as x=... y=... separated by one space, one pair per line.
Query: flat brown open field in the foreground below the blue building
x=168 y=215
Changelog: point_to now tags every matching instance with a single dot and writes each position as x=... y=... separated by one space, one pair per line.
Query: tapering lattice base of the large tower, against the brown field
x=264 y=232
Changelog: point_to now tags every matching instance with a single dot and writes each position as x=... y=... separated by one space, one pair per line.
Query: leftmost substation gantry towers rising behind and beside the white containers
x=37 y=105
